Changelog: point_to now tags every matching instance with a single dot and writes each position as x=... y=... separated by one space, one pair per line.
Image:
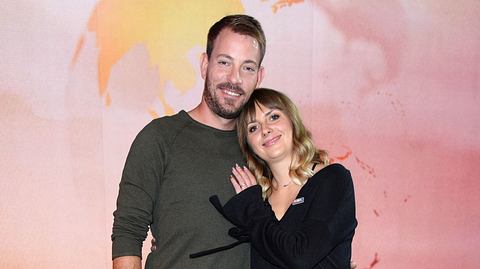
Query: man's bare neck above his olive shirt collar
x=204 y=115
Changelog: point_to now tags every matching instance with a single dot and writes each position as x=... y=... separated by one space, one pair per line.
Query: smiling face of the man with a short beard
x=231 y=74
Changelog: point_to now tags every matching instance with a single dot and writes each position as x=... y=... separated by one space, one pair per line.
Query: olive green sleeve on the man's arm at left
x=136 y=198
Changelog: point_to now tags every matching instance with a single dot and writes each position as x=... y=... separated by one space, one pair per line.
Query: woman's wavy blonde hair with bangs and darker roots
x=304 y=151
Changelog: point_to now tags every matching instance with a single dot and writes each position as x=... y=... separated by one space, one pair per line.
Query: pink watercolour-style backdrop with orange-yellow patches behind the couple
x=390 y=88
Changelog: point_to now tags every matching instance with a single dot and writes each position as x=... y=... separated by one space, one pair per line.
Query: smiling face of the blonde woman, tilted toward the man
x=270 y=134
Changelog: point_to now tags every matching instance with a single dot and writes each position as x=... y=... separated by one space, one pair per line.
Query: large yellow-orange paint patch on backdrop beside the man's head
x=167 y=32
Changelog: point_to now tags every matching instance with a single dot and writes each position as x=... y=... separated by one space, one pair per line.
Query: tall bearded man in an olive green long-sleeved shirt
x=177 y=162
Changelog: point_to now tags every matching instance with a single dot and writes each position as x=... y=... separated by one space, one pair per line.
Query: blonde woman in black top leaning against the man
x=301 y=214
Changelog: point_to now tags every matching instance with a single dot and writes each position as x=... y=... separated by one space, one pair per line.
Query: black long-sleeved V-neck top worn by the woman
x=316 y=230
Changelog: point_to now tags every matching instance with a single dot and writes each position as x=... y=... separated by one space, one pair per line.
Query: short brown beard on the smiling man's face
x=228 y=110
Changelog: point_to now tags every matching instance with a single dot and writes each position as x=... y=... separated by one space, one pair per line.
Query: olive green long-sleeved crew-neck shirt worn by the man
x=174 y=165
